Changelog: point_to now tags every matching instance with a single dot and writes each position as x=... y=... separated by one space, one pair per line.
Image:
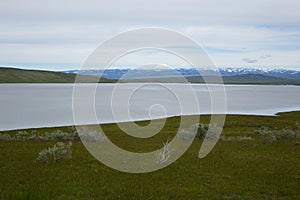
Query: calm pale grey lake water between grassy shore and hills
x=50 y=105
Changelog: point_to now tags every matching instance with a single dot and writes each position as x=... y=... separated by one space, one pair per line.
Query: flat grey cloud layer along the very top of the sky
x=149 y=13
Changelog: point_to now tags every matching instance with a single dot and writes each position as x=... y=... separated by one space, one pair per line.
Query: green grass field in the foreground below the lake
x=233 y=170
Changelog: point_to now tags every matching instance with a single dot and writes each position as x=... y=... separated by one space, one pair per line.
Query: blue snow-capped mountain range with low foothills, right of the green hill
x=229 y=75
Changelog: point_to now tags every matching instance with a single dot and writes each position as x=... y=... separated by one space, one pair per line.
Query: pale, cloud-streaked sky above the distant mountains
x=60 y=34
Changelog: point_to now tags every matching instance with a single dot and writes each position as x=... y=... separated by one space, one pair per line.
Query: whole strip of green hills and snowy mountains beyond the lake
x=229 y=75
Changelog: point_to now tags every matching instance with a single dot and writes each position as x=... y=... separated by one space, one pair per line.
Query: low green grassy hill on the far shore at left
x=13 y=75
